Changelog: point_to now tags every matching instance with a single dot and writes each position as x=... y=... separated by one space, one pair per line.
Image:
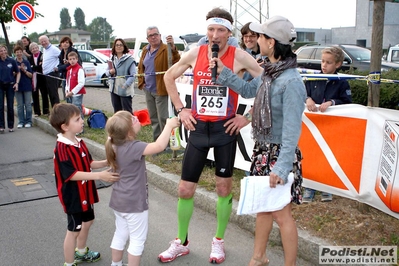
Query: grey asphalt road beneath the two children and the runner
x=34 y=225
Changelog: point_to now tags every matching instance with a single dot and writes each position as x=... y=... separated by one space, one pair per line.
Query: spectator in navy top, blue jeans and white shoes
x=24 y=92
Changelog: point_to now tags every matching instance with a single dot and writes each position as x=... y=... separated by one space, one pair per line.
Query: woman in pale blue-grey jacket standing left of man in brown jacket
x=123 y=71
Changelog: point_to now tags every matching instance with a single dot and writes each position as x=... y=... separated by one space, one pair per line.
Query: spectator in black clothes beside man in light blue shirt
x=38 y=81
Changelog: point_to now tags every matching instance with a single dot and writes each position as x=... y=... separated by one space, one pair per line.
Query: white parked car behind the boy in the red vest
x=94 y=64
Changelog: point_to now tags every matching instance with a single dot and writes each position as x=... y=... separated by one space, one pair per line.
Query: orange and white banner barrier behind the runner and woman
x=350 y=150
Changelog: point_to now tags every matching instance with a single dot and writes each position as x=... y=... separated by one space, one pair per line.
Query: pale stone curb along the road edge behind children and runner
x=308 y=246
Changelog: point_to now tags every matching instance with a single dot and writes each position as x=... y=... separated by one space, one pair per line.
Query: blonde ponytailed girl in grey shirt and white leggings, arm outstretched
x=129 y=198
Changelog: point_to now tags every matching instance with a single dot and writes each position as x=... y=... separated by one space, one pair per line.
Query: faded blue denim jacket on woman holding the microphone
x=288 y=97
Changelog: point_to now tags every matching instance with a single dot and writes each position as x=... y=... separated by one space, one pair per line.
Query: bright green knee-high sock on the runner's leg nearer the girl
x=185 y=209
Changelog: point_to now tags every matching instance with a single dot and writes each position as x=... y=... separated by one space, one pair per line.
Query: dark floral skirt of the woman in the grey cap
x=263 y=160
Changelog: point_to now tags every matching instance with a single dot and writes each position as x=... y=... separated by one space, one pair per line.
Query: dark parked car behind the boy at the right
x=356 y=57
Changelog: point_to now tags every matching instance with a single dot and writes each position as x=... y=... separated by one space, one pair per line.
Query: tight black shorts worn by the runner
x=209 y=135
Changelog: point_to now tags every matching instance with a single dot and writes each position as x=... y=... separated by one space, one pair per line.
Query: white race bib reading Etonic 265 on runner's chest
x=212 y=100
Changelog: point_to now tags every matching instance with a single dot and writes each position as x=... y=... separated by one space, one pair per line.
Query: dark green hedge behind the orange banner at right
x=389 y=93
